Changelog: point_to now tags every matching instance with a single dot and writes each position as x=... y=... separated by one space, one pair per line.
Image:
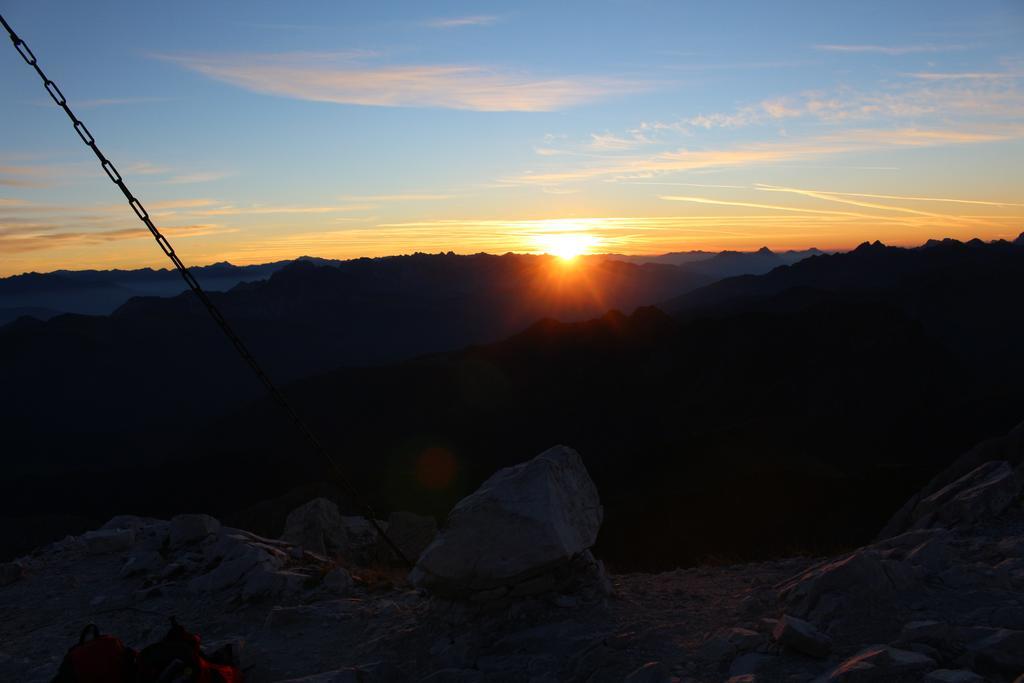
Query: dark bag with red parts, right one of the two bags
x=179 y=658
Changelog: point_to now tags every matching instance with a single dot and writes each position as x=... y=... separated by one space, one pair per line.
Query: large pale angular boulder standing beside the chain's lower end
x=520 y=524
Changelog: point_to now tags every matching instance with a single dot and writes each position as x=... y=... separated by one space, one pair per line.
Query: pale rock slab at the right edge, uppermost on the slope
x=984 y=493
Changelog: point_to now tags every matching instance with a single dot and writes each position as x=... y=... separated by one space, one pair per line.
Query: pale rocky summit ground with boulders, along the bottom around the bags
x=941 y=600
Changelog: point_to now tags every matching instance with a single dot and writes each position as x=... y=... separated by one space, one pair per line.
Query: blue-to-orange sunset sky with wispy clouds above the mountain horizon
x=258 y=132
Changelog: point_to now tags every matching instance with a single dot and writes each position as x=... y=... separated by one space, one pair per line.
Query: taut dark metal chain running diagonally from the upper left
x=165 y=245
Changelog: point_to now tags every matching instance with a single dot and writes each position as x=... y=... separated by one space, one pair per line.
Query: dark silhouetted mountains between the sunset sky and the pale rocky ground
x=753 y=416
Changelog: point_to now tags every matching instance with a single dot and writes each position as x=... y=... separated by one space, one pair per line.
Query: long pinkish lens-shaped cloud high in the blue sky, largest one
x=330 y=78
